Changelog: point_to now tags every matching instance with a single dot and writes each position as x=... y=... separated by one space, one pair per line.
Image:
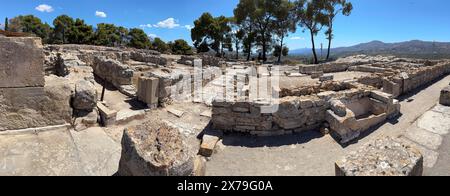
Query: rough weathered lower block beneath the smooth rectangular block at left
x=33 y=107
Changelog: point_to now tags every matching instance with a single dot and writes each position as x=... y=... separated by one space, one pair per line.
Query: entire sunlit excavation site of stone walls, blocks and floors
x=103 y=111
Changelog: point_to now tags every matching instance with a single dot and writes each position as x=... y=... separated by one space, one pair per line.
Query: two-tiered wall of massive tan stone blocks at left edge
x=27 y=99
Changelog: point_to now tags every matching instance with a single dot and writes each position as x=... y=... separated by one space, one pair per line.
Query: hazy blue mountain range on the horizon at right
x=414 y=48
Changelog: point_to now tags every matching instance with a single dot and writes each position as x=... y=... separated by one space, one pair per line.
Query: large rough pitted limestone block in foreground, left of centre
x=154 y=149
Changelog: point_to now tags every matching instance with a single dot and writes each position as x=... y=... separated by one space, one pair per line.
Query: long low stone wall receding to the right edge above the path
x=405 y=82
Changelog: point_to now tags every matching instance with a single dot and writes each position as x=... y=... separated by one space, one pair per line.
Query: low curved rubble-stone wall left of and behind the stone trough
x=291 y=114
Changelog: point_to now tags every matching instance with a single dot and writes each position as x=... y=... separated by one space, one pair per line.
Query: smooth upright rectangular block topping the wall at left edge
x=21 y=62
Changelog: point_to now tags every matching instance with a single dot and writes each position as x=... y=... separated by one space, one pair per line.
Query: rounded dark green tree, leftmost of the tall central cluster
x=210 y=31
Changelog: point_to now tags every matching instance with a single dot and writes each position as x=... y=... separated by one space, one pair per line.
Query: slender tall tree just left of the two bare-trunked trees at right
x=284 y=22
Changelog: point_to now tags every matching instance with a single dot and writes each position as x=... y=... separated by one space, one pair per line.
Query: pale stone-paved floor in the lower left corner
x=59 y=153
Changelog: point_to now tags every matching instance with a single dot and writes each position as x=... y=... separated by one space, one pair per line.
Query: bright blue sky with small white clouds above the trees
x=384 y=20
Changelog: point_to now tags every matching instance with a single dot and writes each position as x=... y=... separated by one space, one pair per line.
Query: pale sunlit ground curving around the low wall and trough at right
x=313 y=154
